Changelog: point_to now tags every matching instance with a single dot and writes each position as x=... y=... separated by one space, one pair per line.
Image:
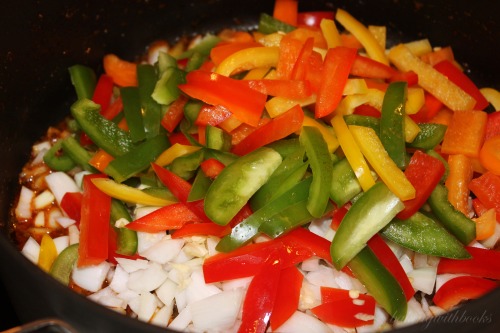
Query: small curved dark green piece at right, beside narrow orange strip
x=462 y=227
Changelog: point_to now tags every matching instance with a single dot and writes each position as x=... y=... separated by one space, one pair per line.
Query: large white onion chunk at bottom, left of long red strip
x=218 y=311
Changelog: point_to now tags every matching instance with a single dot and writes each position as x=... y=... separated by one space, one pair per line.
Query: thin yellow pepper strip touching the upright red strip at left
x=127 y=193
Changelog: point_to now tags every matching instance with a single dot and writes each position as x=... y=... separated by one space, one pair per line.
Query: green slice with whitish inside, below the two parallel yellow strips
x=367 y=216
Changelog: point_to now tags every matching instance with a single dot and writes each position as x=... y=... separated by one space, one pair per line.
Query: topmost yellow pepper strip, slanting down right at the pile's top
x=370 y=44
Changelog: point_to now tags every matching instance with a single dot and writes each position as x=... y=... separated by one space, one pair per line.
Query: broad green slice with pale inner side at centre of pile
x=237 y=182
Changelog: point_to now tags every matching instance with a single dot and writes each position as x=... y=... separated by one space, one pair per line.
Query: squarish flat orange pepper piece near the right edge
x=465 y=134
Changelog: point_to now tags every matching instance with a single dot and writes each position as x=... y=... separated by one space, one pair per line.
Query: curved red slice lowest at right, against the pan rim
x=460 y=289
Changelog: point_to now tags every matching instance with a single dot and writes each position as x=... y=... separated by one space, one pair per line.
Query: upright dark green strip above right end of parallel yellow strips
x=392 y=120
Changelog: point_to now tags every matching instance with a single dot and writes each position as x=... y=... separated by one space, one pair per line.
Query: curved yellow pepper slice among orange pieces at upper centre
x=253 y=57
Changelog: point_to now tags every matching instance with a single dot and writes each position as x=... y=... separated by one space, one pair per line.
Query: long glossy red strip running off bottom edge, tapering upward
x=261 y=295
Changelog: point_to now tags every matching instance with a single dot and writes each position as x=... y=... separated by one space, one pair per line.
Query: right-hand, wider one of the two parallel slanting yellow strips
x=372 y=148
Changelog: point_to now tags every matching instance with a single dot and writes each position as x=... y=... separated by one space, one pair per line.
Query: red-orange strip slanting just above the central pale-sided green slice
x=278 y=128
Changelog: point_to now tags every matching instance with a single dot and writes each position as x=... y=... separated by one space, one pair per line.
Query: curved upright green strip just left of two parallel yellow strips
x=321 y=165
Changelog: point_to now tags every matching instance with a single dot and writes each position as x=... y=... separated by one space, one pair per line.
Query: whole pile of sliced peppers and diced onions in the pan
x=301 y=177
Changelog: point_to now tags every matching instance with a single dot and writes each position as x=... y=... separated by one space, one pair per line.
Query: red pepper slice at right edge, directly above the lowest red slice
x=484 y=263
